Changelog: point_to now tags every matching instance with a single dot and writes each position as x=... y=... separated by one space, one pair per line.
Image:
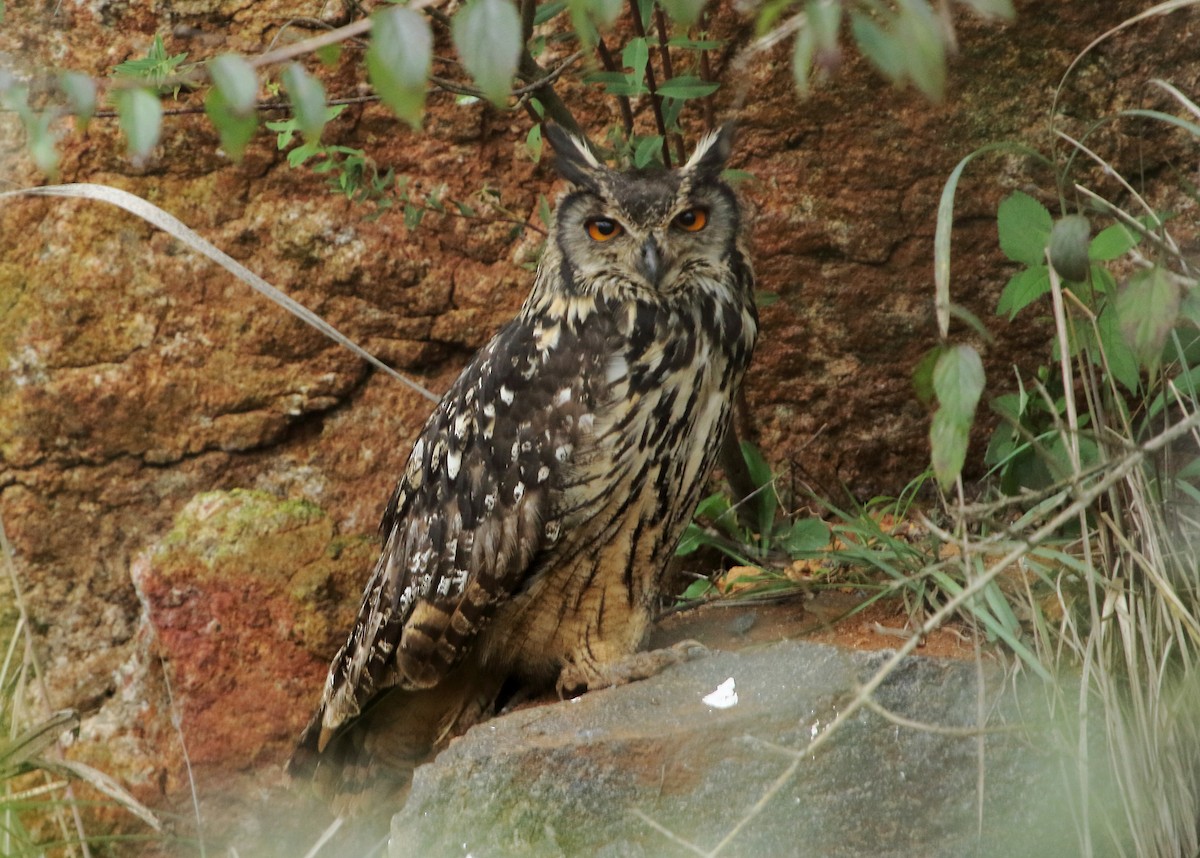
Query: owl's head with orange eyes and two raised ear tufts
x=653 y=230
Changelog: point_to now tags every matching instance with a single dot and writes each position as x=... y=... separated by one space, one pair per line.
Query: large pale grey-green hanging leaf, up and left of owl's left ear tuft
x=488 y=35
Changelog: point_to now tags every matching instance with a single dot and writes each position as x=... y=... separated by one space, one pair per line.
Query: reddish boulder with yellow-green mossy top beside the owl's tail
x=243 y=599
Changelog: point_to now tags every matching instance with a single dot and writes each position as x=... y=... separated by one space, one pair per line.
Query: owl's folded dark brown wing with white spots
x=476 y=506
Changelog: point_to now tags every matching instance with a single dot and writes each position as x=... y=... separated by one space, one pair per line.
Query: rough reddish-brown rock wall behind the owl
x=136 y=377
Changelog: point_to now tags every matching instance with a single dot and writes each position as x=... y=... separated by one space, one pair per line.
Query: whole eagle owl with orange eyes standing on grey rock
x=526 y=543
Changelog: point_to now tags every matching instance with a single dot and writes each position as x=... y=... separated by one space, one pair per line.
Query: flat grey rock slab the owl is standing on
x=583 y=777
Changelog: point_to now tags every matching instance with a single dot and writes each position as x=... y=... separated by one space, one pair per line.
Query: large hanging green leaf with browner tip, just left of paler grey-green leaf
x=399 y=62
